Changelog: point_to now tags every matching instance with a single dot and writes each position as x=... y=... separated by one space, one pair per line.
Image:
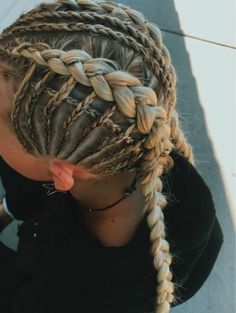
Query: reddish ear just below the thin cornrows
x=62 y=175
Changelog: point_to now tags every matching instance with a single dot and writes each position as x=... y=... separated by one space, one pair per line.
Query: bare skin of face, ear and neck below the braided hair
x=89 y=190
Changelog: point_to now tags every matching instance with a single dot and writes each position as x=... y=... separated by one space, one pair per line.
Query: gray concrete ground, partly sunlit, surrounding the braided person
x=206 y=104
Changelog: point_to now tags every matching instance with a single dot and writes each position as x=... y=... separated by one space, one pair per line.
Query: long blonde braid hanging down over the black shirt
x=152 y=167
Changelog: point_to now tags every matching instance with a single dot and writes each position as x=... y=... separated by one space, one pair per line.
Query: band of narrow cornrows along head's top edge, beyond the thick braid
x=149 y=44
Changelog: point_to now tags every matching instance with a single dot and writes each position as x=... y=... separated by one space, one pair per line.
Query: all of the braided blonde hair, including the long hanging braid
x=99 y=89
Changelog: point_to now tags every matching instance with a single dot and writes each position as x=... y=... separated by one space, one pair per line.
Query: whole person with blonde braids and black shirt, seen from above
x=88 y=96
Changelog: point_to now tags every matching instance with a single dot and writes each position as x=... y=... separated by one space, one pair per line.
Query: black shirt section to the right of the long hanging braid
x=193 y=229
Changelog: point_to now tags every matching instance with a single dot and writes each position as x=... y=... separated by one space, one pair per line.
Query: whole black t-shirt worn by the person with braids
x=62 y=267
